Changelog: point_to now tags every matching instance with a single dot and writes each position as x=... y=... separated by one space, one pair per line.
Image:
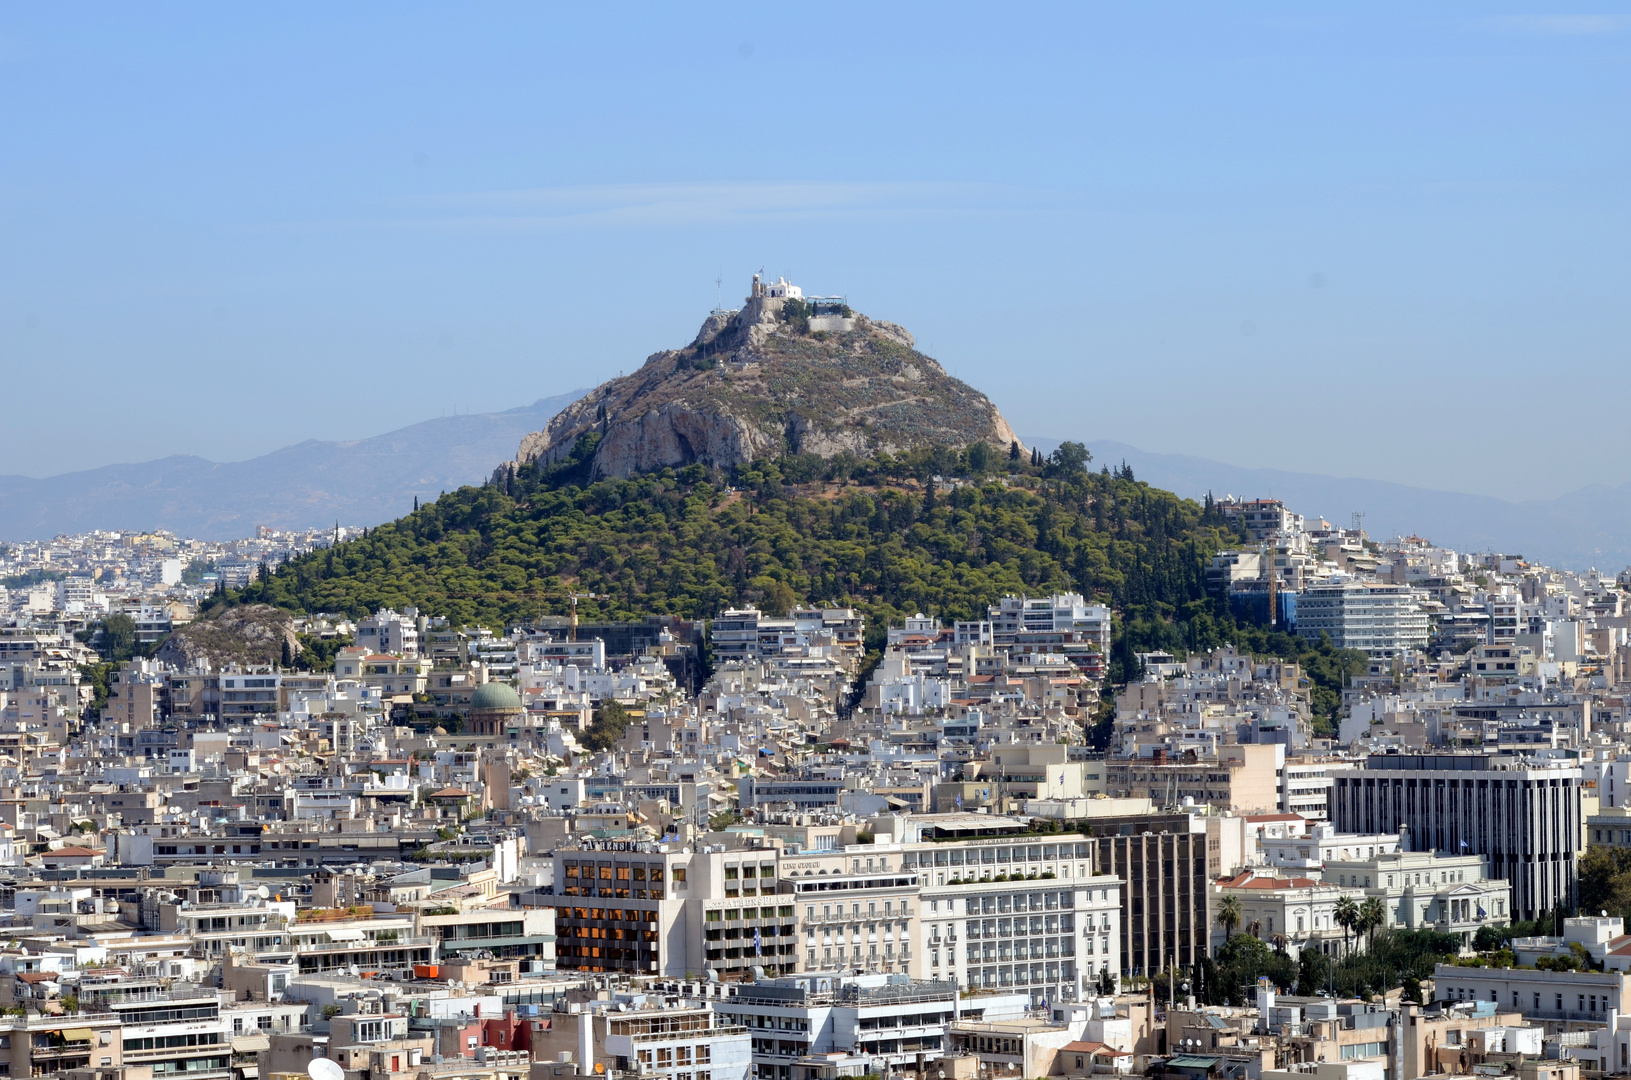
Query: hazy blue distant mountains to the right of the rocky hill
x=1576 y=531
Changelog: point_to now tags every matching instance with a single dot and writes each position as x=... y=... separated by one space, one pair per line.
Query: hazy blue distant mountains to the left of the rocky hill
x=304 y=487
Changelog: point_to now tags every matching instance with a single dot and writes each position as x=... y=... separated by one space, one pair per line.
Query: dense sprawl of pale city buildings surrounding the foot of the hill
x=753 y=846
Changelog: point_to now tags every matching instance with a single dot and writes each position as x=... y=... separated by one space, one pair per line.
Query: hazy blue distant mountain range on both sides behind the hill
x=374 y=480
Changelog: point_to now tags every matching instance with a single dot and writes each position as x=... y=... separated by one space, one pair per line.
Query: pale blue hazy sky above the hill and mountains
x=1381 y=241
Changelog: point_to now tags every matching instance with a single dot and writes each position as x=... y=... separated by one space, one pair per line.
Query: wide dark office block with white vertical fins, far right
x=1526 y=821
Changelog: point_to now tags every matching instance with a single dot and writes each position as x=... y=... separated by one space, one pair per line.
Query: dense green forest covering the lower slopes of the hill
x=873 y=534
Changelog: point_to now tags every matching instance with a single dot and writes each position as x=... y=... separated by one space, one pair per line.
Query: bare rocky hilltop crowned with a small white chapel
x=782 y=374
